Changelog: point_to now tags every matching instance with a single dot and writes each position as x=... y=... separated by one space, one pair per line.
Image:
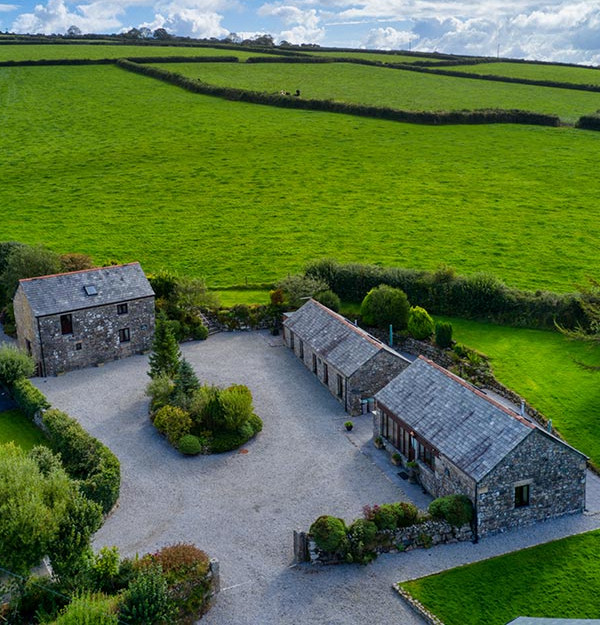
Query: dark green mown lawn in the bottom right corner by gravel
x=555 y=580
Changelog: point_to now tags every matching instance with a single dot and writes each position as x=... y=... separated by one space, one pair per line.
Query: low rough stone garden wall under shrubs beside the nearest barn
x=422 y=535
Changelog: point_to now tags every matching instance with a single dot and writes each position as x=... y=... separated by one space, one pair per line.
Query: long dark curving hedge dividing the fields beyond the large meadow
x=489 y=116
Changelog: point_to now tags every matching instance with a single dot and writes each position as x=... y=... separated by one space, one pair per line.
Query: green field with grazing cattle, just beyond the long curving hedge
x=378 y=86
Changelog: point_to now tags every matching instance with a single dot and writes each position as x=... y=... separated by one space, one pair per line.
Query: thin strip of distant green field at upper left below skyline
x=106 y=51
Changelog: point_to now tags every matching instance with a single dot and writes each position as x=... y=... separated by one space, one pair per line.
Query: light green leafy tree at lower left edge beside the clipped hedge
x=32 y=507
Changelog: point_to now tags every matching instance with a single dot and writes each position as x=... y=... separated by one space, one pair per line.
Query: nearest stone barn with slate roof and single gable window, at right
x=463 y=441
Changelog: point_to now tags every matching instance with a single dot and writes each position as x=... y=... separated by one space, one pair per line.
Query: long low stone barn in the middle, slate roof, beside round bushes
x=353 y=364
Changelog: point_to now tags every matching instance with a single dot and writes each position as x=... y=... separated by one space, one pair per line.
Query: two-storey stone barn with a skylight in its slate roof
x=73 y=320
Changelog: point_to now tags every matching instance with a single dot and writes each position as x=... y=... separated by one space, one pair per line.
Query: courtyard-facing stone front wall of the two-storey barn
x=95 y=336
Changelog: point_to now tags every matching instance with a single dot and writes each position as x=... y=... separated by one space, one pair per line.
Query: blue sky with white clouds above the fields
x=567 y=31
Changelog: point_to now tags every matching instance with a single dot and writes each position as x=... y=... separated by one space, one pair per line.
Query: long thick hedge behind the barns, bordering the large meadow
x=479 y=296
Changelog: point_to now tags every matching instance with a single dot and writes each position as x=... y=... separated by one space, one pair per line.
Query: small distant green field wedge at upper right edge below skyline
x=559 y=73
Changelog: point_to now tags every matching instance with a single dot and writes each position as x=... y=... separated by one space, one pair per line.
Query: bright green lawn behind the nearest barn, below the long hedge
x=541 y=367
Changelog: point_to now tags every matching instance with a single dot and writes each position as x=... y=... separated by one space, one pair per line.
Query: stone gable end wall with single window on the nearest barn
x=554 y=473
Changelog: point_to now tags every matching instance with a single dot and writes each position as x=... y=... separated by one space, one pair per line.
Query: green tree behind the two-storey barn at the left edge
x=25 y=261
